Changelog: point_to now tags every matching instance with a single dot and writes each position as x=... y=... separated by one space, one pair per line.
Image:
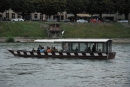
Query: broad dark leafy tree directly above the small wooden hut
x=51 y=7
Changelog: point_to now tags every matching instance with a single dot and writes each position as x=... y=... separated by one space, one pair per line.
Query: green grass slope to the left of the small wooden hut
x=21 y=29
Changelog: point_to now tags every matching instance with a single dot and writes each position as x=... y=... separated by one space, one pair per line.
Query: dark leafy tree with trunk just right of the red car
x=98 y=6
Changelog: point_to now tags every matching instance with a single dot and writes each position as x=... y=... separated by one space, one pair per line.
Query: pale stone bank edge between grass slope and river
x=31 y=39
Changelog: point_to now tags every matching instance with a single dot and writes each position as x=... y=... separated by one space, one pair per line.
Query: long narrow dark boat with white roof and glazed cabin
x=73 y=48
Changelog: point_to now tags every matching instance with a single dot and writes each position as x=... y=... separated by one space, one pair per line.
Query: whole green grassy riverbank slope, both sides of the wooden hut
x=72 y=30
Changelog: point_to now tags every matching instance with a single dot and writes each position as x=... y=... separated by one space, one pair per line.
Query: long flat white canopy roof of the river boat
x=71 y=40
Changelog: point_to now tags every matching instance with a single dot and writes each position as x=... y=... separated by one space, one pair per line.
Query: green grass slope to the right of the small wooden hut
x=100 y=30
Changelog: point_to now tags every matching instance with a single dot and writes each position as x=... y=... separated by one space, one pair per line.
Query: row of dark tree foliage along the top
x=51 y=7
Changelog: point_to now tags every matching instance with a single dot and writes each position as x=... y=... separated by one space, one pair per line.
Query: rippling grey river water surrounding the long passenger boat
x=55 y=72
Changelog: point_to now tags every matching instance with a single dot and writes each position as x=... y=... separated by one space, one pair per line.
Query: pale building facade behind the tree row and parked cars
x=10 y=14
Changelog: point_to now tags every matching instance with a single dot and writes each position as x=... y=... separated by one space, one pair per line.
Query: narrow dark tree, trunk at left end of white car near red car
x=74 y=7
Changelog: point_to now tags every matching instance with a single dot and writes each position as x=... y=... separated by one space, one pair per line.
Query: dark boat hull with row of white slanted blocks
x=83 y=55
